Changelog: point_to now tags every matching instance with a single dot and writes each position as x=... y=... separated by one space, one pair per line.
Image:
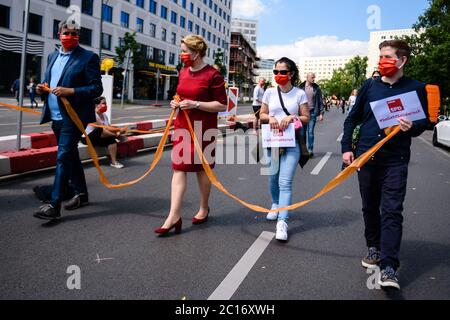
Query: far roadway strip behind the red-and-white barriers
x=130 y=113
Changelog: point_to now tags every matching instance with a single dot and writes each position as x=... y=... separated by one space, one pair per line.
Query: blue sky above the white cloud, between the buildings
x=284 y=22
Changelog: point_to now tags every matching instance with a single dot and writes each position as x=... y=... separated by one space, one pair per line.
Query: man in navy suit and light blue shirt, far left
x=74 y=73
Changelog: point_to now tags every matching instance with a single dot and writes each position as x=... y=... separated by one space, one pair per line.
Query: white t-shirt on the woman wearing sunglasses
x=292 y=101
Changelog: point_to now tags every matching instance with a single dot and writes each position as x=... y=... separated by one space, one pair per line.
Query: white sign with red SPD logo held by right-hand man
x=388 y=110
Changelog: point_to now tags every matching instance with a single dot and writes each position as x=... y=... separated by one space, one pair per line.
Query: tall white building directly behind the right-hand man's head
x=376 y=38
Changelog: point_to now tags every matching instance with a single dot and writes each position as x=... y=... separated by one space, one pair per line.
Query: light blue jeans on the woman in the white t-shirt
x=280 y=182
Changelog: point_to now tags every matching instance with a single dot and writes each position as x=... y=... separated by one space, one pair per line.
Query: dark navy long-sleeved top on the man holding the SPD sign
x=397 y=150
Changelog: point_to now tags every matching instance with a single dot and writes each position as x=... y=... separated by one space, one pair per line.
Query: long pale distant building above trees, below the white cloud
x=323 y=67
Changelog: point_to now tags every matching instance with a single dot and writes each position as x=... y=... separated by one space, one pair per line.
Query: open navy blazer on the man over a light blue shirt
x=82 y=72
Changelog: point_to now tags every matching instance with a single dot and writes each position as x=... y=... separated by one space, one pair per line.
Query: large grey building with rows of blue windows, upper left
x=159 y=25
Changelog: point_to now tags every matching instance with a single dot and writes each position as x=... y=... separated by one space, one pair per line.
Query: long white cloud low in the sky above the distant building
x=318 y=46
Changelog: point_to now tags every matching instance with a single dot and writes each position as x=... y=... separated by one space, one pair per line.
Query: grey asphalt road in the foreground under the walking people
x=320 y=261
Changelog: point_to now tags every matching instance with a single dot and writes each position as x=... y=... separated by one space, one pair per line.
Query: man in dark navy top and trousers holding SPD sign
x=383 y=179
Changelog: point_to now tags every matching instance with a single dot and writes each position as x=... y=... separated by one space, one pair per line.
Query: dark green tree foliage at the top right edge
x=430 y=61
